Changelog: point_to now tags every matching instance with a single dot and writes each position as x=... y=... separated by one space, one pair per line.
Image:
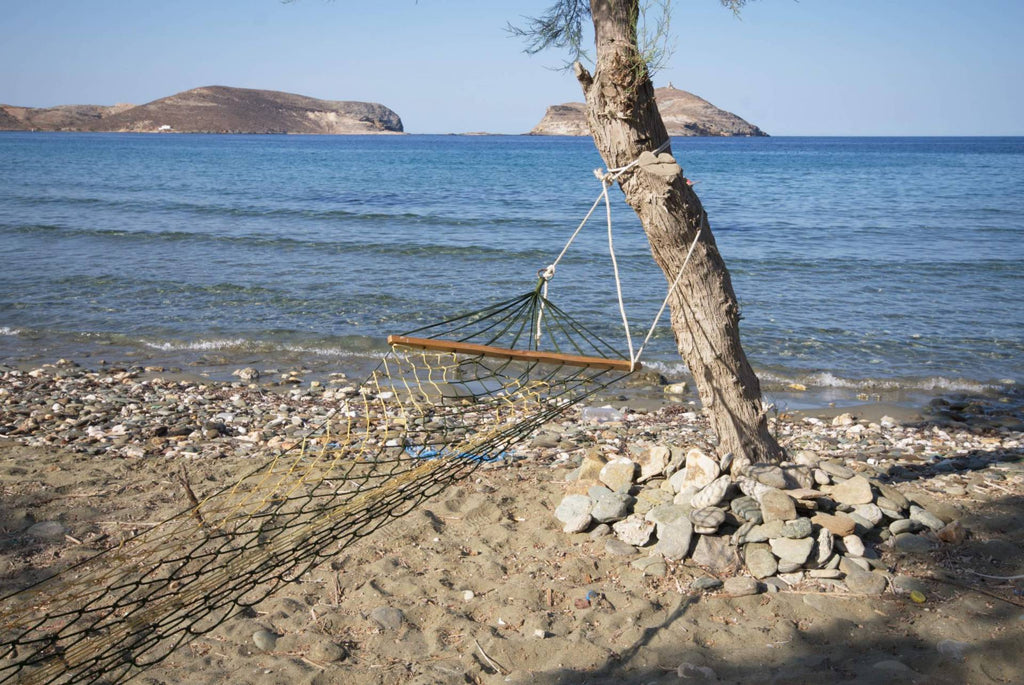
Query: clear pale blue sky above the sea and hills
x=808 y=68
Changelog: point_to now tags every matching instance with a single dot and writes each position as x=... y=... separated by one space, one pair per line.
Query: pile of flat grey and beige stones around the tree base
x=812 y=519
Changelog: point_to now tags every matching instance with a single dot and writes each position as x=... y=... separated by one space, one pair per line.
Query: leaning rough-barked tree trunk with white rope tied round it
x=625 y=121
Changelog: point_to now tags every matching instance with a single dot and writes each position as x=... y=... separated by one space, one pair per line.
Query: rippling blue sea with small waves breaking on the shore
x=866 y=269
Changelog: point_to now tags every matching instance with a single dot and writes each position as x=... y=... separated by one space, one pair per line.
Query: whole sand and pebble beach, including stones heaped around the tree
x=610 y=549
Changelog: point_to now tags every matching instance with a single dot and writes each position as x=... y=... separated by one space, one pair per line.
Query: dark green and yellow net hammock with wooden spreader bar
x=444 y=401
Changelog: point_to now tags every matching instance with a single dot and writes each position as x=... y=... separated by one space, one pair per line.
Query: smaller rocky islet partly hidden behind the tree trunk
x=685 y=114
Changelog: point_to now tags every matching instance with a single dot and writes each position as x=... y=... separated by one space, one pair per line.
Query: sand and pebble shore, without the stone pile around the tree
x=93 y=457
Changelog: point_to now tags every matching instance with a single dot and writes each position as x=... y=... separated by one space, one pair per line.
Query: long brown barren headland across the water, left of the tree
x=214 y=110
